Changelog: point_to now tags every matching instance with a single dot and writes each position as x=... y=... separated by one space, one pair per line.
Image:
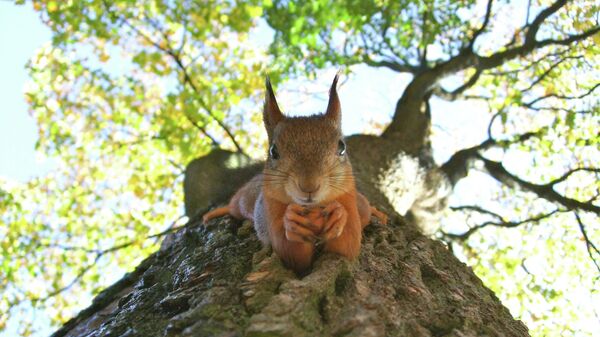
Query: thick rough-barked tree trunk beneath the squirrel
x=219 y=281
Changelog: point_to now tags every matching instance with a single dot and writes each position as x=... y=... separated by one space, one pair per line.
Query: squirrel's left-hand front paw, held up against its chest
x=298 y=227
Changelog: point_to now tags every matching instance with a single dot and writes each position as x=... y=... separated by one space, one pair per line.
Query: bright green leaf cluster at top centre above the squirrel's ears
x=377 y=33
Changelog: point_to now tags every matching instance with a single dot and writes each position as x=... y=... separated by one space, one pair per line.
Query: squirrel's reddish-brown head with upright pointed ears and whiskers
x=307 y=161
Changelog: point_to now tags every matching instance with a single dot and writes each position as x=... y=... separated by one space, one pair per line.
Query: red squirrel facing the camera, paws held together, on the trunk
x=306 y=194
